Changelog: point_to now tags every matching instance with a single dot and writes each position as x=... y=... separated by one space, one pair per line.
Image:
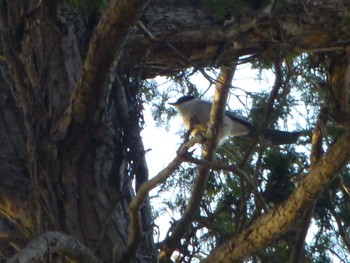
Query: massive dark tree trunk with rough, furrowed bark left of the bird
x=77 y=182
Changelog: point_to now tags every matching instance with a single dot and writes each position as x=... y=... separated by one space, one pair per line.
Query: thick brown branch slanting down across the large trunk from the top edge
x=106 y=45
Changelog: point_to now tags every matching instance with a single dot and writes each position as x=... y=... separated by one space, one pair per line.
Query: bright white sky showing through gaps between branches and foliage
x=162 y=143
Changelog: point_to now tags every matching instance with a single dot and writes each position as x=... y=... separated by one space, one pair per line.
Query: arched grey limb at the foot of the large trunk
x=54 y=242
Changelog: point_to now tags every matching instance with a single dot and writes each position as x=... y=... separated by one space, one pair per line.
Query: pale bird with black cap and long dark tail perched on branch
x=195 y=114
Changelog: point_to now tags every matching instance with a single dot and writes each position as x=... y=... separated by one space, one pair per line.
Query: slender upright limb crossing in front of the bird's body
x=214 y=128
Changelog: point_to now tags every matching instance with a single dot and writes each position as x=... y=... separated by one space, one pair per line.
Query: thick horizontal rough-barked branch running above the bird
x=281 y=30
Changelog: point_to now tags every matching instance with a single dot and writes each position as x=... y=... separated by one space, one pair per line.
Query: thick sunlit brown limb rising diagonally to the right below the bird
x=270 y=226
